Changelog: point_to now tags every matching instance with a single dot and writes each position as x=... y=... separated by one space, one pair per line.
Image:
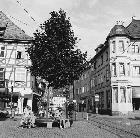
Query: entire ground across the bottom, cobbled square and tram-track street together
x=97 y=126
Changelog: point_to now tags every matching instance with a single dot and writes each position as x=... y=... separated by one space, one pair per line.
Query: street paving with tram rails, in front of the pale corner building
x=128 y=123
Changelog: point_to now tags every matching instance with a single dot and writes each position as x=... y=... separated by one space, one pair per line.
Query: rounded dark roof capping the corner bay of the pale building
x=118 y=30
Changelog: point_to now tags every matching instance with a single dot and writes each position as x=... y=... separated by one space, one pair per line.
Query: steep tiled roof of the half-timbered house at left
x=8 y=30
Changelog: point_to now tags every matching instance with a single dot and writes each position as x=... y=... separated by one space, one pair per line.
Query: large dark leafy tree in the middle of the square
x=54 y=55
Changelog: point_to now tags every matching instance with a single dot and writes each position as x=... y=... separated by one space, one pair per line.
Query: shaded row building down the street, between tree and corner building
x=82 y=92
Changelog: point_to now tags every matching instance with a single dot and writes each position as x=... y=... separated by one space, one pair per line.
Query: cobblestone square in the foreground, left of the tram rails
x=80 y=129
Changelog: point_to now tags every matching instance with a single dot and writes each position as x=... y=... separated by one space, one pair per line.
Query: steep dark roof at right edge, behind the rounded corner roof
x=134 y=28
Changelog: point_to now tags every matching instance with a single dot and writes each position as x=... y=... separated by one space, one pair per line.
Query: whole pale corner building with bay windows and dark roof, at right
x=116 y=72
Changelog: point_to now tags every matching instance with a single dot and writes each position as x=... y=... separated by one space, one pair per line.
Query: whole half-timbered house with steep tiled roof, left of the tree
x=16 y=81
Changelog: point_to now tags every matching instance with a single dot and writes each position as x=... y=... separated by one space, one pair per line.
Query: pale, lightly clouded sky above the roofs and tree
x=91 y=20
